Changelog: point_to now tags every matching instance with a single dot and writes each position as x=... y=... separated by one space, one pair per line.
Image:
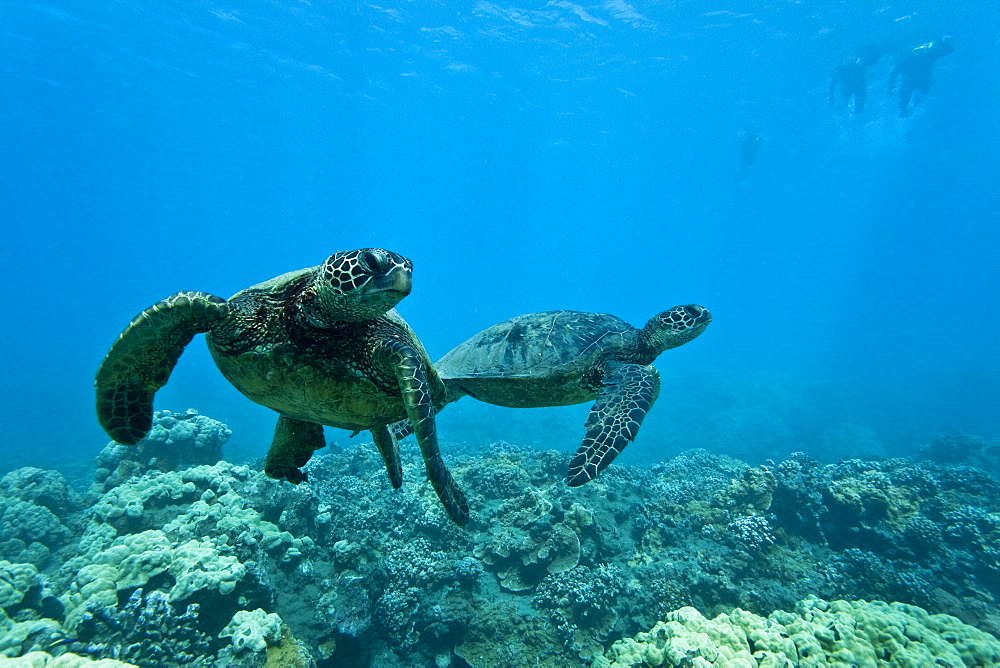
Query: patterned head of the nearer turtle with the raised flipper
x=357 y=285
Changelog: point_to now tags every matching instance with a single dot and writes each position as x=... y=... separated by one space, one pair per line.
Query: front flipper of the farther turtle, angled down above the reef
x=628 y=394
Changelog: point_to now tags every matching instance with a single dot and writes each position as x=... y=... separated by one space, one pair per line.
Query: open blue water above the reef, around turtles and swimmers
x=525 y=158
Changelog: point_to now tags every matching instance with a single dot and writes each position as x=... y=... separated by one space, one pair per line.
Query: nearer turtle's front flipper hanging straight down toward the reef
x=419 y=405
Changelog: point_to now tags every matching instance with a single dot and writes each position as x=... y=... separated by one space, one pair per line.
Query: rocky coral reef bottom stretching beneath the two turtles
x=699 y=561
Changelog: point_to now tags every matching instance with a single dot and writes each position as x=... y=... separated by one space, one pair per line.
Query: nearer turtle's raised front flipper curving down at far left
x=140 y=361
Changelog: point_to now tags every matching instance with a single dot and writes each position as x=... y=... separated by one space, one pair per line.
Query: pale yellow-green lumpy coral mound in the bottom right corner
x=818 y=633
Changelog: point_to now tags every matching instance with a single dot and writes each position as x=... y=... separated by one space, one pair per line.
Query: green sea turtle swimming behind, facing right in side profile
x=558 y=358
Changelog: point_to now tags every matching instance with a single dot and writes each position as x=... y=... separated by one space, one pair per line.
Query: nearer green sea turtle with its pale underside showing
x=321 y=346
